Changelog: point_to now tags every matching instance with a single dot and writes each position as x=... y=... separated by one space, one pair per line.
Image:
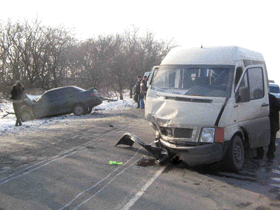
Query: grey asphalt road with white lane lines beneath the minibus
x=66 y=166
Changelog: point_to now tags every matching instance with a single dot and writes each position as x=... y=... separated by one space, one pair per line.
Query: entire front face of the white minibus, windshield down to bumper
x=185 y=105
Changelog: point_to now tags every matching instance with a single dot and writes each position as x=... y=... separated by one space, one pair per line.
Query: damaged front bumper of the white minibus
x=196 y=155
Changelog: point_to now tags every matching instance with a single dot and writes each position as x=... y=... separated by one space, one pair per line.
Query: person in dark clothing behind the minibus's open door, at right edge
x=274 y=108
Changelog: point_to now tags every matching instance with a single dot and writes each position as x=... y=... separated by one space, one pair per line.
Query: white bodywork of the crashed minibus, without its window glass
x=171 y=110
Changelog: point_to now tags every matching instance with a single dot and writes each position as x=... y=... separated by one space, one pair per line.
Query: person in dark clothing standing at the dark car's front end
x=17 y=96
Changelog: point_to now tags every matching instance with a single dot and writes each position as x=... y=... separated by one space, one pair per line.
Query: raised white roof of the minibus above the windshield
x=210 y=55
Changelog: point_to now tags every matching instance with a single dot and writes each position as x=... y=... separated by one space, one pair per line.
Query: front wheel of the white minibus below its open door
x=234 y=158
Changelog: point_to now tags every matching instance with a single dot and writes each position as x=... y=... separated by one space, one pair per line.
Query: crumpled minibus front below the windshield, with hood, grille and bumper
x=183 y=133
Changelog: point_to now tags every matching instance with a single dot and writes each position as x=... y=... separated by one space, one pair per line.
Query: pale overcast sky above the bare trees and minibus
x=250 y=24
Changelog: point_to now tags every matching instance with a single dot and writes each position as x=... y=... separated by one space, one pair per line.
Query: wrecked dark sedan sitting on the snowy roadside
x=59 y=101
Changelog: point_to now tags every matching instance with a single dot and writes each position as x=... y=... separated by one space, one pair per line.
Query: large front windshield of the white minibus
x=198 y=80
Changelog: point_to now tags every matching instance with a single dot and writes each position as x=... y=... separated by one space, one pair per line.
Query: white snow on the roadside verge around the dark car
x=7 y=124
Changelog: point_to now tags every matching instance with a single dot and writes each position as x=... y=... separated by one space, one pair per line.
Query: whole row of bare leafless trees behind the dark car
x=49 y=57
